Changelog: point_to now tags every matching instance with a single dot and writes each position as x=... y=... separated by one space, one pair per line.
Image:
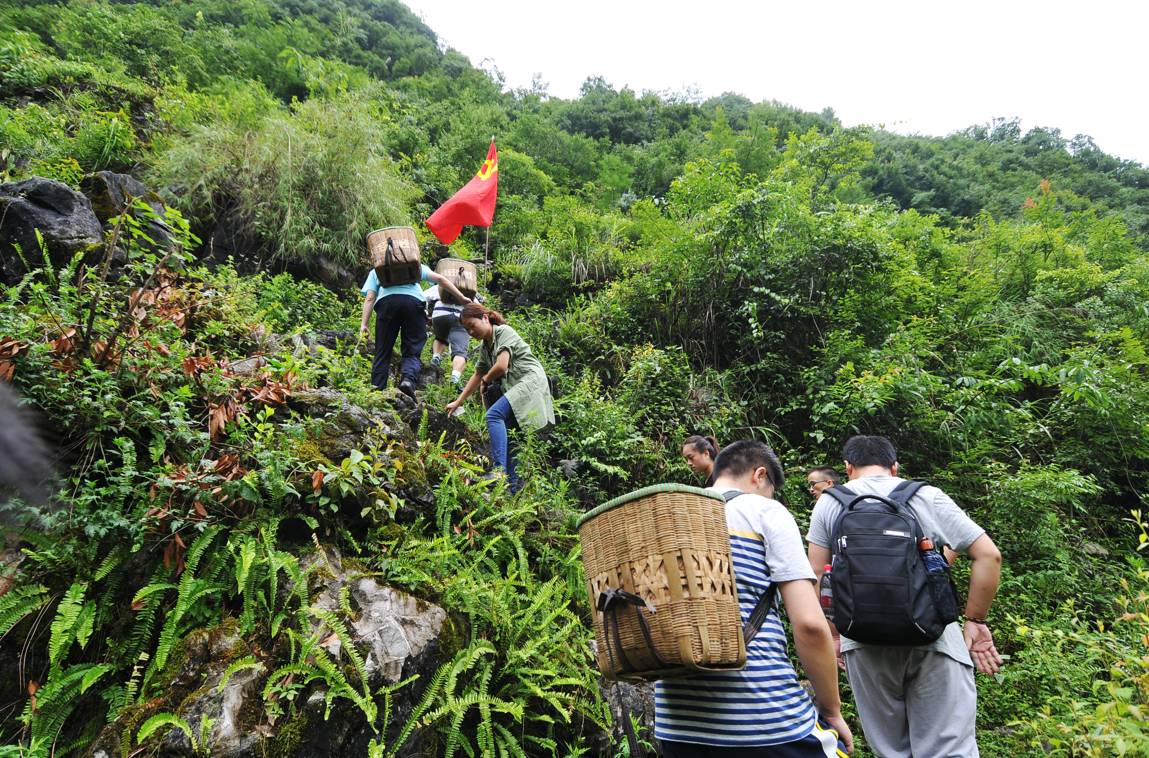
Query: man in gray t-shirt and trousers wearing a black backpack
x=909 y=663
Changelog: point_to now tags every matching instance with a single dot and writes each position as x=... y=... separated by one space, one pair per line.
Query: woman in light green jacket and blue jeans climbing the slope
x=527 y=401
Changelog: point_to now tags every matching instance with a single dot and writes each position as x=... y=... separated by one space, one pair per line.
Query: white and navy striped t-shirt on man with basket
x=762 y=705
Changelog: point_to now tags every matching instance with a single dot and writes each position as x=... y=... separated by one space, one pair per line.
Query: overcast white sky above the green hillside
x=926 y=66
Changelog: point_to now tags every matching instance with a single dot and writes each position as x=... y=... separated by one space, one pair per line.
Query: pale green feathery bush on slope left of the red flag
x=309 y=183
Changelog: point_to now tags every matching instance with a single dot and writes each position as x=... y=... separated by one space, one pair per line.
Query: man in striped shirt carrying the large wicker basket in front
x=762 y=710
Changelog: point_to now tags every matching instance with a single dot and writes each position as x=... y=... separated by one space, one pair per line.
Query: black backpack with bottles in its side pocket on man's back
x=884 y=593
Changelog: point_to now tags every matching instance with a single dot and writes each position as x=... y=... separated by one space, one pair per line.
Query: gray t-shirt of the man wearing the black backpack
x=940 y=519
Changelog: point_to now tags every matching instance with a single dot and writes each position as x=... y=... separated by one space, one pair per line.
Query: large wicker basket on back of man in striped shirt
x=662 y=584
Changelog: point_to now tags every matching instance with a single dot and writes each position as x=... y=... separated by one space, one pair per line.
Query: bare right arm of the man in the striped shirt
x=816 y=651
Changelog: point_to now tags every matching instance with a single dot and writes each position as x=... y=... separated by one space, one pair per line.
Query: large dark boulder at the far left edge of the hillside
x=64 y=218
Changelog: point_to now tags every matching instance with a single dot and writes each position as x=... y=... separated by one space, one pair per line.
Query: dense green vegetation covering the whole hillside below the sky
x=681 y=266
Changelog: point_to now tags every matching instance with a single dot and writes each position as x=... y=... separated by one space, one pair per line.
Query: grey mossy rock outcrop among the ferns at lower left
x=396 y=635
